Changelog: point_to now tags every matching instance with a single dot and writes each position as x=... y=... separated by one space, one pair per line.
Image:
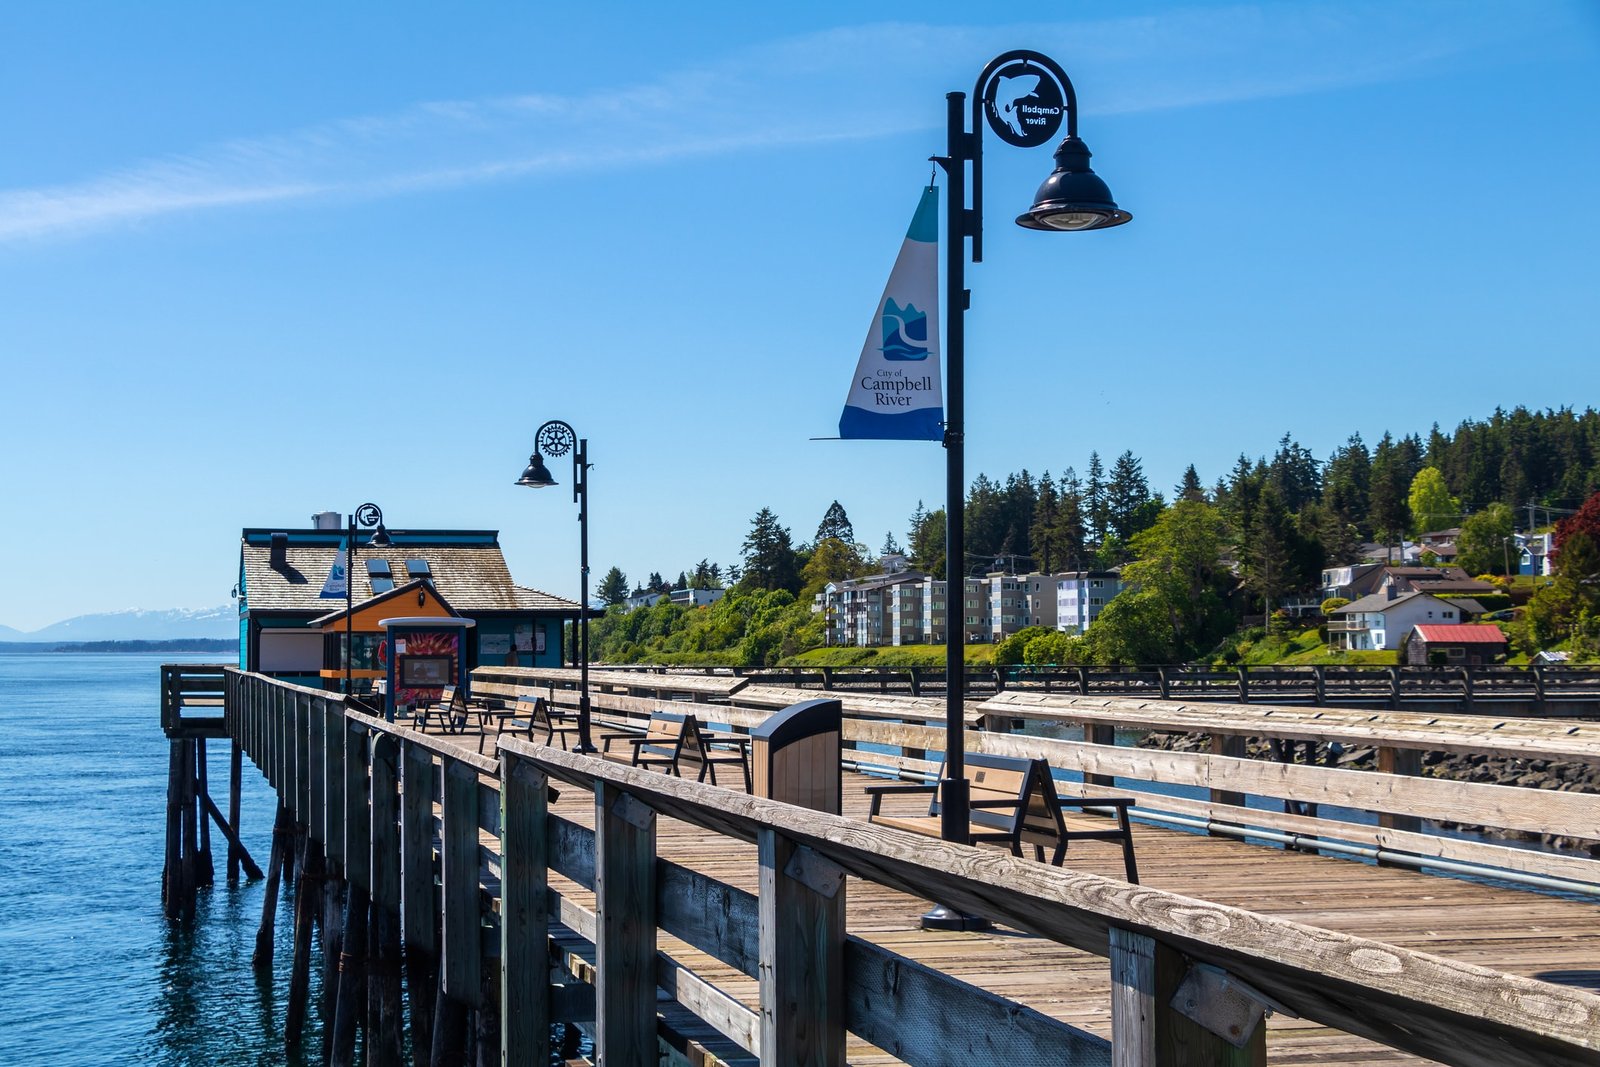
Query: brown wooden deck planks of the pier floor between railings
x=1508 y=930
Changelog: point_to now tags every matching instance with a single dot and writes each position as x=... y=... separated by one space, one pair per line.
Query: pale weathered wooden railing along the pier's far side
x=897 y=733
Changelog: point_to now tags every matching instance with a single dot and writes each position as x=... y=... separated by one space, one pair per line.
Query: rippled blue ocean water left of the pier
x=92 y=972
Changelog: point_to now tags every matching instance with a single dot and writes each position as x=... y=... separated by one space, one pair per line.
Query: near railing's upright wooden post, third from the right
x=626 y=937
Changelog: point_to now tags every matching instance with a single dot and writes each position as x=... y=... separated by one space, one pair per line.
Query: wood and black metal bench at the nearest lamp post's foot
x=1015 y=802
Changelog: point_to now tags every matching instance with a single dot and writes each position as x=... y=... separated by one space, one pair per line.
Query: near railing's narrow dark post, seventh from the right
x=383 y=978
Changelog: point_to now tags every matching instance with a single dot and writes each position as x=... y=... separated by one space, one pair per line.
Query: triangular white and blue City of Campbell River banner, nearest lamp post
x=895 y=394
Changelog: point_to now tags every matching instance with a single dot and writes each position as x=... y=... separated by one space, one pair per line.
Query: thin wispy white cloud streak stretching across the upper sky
x=844 y=84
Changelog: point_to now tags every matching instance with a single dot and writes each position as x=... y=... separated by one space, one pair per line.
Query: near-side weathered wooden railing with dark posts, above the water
x=375 y=799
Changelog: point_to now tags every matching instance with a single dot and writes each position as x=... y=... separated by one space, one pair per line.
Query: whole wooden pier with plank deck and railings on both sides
x=734 y=929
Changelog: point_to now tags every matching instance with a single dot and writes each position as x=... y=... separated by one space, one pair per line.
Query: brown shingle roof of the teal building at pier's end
x=473 y=577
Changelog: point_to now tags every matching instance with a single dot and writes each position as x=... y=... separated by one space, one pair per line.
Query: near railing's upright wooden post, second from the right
x=802 y=945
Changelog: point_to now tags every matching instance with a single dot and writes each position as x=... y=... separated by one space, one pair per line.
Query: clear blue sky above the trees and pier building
x=266 y=262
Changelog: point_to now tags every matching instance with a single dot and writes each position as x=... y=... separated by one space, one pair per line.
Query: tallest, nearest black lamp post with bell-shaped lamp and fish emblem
x=1025 y=97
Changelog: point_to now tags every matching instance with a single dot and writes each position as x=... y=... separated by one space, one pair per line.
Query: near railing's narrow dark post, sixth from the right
x=420 y=906
